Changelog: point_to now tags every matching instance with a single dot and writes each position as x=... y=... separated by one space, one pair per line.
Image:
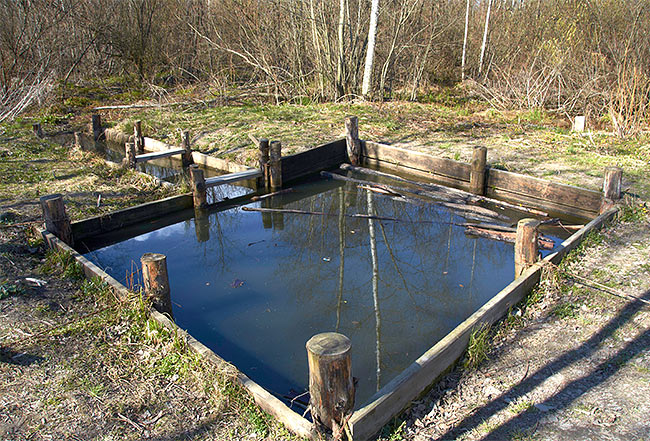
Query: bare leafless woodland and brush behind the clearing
x=570 y=56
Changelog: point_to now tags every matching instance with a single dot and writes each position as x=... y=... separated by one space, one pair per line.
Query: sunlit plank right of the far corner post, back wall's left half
x=416 y=160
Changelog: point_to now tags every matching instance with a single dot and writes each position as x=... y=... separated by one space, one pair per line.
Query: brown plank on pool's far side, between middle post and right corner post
x=561 y=194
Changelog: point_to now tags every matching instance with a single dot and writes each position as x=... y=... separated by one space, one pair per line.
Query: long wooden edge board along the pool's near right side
x=414 y=380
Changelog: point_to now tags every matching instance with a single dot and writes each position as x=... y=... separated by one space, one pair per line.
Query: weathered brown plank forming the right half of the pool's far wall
x=544 y=194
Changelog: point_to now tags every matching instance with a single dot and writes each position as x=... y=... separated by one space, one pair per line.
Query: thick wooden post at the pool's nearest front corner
x=331 y=386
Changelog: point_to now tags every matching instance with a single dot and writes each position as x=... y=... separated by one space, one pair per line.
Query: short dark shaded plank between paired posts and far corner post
x=314 y=160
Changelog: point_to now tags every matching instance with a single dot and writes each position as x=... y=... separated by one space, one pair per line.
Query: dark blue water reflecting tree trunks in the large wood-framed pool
x=254 y=287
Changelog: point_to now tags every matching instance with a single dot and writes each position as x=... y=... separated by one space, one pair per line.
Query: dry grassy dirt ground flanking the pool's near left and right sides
x=570 y=362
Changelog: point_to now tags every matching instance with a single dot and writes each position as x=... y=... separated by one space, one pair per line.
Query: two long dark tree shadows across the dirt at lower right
x=562 y=398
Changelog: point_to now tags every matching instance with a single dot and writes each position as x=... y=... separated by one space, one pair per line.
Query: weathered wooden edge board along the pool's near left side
x=269 y=403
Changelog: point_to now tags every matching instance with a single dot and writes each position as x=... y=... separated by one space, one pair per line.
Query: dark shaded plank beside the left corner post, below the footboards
x=128 y=216
